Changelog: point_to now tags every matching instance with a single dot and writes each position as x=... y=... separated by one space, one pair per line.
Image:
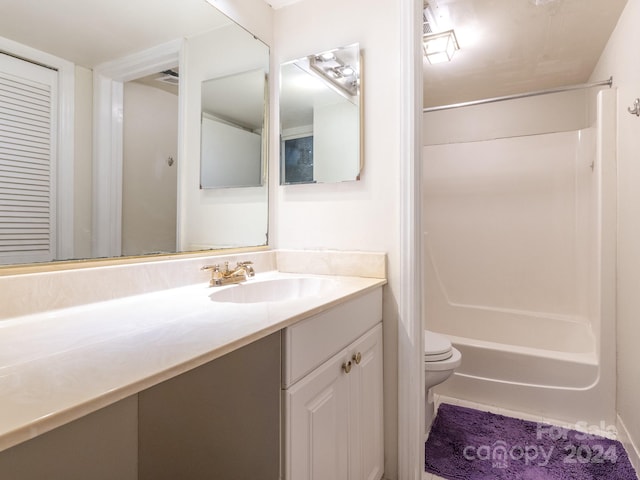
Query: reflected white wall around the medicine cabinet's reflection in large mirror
x=217 y=217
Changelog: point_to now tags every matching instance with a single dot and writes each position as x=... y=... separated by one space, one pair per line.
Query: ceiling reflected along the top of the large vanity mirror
x=90 y=32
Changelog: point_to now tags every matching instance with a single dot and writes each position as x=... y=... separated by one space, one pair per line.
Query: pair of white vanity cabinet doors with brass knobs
x=334 y=419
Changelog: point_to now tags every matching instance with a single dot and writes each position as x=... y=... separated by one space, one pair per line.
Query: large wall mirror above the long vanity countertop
x=151 y=202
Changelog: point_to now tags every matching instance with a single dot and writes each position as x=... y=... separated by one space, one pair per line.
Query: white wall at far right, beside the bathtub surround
x=618 y=59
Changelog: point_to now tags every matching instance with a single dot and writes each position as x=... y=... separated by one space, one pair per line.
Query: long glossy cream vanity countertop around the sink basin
x=58 y=366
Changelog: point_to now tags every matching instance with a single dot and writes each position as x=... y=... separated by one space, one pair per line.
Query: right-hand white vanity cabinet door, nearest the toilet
x=367 y=462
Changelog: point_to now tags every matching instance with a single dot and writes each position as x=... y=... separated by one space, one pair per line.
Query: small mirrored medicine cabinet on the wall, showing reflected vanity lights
x=320 y=117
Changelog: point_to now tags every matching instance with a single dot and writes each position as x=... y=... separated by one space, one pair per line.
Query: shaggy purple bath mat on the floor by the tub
x=467 y=444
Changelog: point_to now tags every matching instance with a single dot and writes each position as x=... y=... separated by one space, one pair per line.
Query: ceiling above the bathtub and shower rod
x=516 y=46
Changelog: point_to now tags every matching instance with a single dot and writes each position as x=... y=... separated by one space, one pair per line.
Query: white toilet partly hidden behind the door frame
x=440 y=360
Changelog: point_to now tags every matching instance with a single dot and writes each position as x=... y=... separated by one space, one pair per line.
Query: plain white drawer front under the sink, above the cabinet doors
x=310 y=342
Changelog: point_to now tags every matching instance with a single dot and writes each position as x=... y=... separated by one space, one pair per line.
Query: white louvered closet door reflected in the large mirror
x=27 y=161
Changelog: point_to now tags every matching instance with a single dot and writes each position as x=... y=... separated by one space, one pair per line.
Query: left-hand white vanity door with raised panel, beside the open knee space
x=317 y=425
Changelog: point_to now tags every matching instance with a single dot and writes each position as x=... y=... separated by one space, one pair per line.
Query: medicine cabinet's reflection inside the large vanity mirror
x=233 y=116
